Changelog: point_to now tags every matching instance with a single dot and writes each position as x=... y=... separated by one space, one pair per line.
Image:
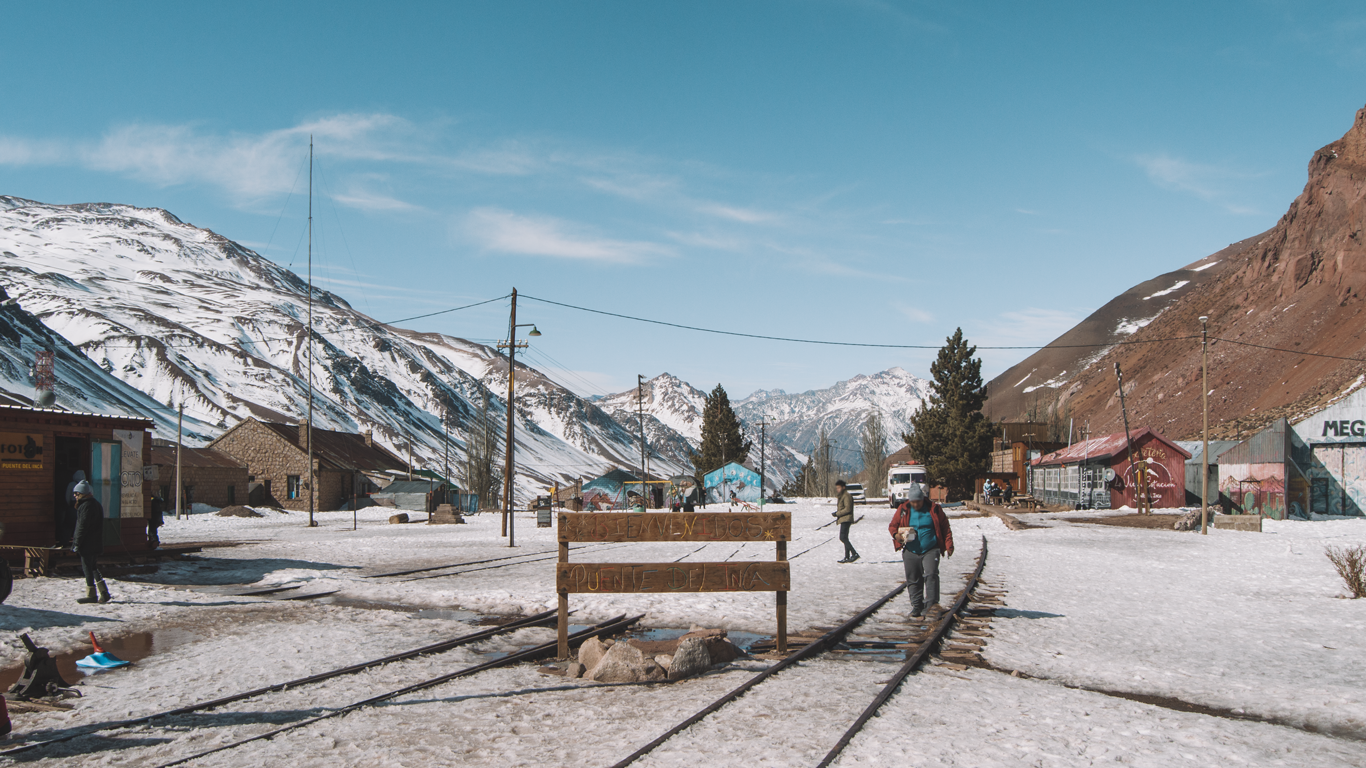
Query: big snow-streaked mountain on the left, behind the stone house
x=185 y=315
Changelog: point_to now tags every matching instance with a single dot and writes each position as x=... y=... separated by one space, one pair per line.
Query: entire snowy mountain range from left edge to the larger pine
x=148 y=312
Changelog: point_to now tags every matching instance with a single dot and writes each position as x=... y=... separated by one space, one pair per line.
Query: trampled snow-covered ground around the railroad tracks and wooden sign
x=1236 y=622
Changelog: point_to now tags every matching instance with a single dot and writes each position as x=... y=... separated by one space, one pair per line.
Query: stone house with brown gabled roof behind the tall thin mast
x=278 y=465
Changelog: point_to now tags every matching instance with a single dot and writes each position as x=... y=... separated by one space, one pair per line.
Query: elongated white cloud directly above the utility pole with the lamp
x=505 y=232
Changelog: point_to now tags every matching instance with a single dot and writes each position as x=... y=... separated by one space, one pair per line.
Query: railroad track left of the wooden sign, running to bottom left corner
x=613 y=627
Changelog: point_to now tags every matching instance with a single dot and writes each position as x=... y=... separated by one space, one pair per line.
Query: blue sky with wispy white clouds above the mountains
x=856 y=172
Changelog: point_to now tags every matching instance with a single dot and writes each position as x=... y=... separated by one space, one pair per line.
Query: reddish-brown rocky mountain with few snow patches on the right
x=1294 y=289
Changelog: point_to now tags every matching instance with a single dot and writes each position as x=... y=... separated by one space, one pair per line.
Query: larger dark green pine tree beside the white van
x=950 y=435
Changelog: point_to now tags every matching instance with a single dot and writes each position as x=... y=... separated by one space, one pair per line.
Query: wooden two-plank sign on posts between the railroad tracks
x=622 y=579
